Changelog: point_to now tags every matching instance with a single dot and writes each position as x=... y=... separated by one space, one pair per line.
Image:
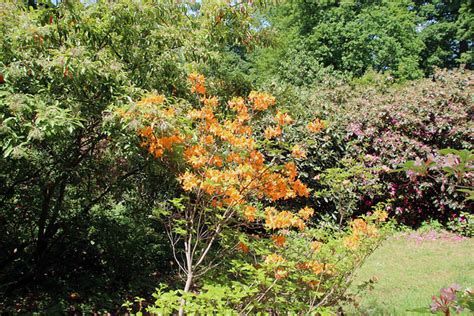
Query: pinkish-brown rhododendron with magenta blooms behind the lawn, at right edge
x=414 y=123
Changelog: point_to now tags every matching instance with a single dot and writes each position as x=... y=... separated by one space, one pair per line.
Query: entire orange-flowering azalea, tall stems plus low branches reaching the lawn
x=229 y=194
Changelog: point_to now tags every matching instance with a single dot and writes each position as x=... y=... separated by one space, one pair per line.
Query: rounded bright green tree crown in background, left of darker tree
x=350 y=37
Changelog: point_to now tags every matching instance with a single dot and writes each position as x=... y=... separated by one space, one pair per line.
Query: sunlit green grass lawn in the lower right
x=409 y=272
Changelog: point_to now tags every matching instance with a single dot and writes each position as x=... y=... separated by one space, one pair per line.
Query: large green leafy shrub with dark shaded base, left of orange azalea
x=83 y=190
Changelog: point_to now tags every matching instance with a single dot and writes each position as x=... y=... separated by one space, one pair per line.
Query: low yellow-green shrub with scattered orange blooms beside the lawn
x=303 y=272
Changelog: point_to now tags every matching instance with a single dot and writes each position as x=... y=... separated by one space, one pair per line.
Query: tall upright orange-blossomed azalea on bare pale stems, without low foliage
x=212 y=147
